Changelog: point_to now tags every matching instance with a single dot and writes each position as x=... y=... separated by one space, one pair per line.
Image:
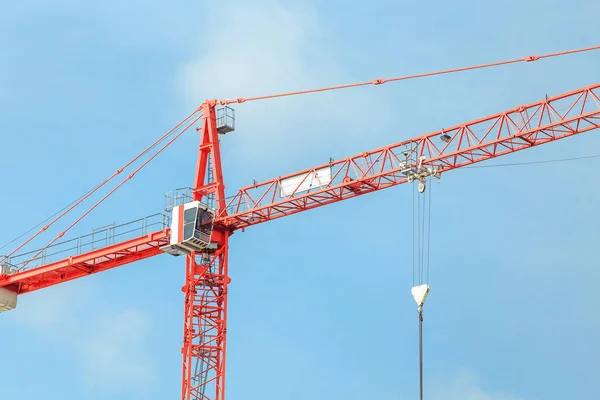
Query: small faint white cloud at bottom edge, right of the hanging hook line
x=464 y=386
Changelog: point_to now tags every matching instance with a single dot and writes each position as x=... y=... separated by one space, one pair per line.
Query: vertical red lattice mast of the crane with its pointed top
x=205 y=309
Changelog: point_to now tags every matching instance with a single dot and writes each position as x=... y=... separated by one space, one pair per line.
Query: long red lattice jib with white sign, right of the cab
x=520 y=128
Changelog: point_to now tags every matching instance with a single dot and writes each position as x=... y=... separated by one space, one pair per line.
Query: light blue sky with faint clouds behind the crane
x=320 y=302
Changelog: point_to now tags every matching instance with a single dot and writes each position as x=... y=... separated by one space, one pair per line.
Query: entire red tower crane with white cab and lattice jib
x=202 y=220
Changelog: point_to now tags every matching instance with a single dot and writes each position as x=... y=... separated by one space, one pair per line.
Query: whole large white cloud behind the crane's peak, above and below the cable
x=269 y=48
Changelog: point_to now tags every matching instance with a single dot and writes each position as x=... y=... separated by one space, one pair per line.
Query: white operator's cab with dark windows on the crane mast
x=191 y=228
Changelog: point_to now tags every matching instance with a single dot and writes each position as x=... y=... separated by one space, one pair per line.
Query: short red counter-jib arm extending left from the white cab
x=86 y=264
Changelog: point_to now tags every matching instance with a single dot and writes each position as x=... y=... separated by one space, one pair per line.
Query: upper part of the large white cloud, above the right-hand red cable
x=257 y=50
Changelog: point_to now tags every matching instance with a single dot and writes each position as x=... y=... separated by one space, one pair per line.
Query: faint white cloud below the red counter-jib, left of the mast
x=112 y=350
